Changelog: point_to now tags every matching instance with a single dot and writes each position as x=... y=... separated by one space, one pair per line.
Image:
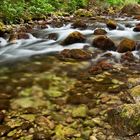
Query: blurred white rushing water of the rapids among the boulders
x=25 y=48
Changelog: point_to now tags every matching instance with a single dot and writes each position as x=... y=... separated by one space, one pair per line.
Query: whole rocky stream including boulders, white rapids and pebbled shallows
x=80 y=81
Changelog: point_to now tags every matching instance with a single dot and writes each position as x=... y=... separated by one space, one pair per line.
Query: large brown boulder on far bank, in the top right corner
x=131 y=9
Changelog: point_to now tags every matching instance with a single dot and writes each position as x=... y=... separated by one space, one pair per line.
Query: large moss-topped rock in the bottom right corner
x=125 y=119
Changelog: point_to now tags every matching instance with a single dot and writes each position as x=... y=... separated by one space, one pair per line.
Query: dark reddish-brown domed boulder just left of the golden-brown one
x=104 y=43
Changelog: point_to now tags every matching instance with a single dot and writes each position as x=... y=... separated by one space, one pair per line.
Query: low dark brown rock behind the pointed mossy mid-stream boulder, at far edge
x=79 y=24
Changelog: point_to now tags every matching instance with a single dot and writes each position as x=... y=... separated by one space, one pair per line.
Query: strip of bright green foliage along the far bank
x=13 y=10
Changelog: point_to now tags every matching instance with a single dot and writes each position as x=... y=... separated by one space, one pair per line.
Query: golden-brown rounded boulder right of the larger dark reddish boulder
x=126 y=45
